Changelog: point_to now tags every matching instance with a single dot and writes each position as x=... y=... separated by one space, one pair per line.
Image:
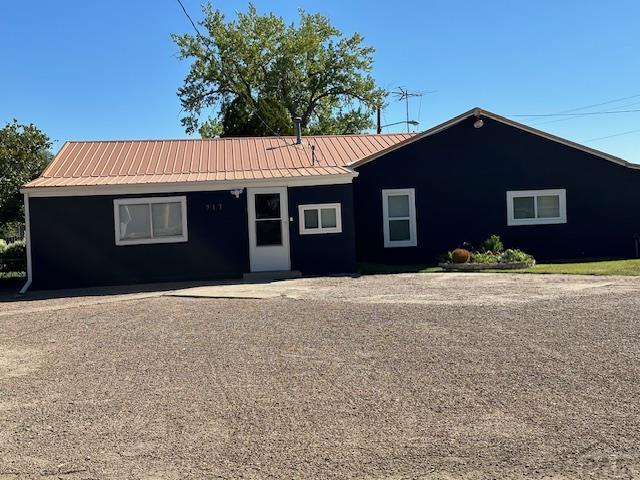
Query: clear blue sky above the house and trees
x=84 y=70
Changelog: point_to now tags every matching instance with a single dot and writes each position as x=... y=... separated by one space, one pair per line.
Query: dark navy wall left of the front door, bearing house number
x=73 y=243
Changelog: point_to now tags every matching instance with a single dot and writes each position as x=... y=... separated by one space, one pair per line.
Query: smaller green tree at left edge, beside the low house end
x=24 y=153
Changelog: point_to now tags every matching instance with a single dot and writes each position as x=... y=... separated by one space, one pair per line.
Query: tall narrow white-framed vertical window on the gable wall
x=399 y=217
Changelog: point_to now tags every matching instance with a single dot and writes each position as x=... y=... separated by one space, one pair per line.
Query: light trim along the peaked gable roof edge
x=479 y=112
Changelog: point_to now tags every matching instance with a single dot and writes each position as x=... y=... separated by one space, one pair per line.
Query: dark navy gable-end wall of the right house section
x=461 y=176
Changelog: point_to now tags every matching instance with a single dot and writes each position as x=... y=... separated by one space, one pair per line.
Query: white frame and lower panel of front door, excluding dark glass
x=269 y=257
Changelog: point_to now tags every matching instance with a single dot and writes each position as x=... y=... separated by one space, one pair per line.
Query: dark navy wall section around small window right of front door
x=323 y=253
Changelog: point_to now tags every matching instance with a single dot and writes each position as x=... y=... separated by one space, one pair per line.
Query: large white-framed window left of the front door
x=150 y=220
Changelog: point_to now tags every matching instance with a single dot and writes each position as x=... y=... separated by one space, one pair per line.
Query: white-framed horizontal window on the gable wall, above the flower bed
x=536 y=207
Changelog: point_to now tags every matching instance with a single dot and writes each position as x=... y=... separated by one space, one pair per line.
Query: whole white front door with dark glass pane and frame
x=268 y=229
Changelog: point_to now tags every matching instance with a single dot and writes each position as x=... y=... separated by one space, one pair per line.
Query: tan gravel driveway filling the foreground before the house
x=397 y=376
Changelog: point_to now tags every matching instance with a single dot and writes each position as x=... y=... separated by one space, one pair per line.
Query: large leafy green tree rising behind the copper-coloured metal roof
x=257 y=72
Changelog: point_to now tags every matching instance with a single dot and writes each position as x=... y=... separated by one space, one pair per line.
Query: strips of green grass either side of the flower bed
x=601 y=267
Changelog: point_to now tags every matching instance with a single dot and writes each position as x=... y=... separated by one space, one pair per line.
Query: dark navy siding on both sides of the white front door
x=73 y=240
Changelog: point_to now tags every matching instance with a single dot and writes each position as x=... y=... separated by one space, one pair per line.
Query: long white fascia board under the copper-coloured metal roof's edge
x=180 y=187
